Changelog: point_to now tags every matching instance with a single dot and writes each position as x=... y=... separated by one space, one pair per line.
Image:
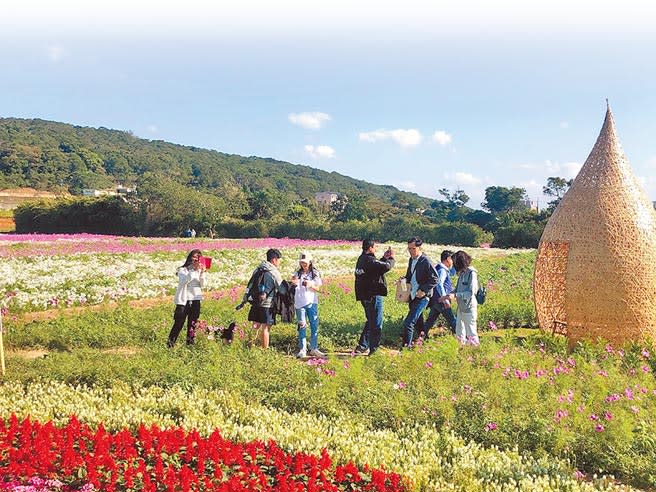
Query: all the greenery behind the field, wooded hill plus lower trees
x=234 y=196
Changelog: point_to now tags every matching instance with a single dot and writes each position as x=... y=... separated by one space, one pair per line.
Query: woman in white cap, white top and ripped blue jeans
x=307 y=280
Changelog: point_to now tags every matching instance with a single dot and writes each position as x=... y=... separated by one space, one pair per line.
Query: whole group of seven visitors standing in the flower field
x=429 y=284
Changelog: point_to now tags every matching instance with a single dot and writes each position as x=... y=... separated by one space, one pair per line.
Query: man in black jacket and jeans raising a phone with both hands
x=370 y=288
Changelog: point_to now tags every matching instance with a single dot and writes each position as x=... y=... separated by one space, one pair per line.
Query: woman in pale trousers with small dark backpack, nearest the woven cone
x=465 y=294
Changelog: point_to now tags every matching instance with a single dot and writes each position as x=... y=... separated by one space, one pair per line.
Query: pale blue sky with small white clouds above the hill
x=419 y=95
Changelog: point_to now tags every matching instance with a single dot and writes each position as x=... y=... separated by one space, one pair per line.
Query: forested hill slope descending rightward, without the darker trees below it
x=56 y=156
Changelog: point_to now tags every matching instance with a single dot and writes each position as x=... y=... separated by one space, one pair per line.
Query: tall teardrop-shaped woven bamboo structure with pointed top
x=595 y=274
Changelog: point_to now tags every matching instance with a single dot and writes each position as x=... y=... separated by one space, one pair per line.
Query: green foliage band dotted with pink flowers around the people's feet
x=511 y=392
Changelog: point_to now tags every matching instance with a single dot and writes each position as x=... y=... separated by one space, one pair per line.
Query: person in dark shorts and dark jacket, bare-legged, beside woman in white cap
x=264 y=284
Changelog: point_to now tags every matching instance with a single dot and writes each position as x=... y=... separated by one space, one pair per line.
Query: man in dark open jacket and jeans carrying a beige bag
x=421 y=278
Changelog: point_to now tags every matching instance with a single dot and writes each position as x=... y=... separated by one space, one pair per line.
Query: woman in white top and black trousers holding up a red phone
x=191 y=279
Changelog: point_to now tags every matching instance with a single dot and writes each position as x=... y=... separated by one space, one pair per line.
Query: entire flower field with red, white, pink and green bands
x=520 y=412
